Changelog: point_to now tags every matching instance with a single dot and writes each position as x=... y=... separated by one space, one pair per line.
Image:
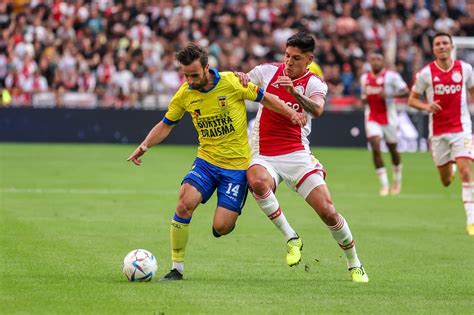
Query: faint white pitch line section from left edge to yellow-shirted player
x=79 y=191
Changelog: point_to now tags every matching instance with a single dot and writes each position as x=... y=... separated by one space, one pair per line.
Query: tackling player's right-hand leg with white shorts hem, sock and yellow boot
x=320 y=200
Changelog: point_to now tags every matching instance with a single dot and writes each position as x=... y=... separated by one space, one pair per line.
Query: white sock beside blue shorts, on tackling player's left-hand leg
x=270 y=206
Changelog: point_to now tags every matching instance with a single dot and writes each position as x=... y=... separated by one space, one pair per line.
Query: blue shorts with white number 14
x=231 y=184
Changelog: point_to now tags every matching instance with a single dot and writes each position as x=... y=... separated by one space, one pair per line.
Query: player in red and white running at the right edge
x=446 y=83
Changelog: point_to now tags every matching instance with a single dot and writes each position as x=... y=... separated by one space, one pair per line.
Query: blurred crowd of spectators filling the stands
x=123 y=51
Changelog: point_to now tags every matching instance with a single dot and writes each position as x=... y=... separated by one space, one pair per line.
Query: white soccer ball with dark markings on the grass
x=139 y=265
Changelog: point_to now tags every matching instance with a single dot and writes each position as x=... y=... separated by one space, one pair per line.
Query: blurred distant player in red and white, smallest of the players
x=379 y=86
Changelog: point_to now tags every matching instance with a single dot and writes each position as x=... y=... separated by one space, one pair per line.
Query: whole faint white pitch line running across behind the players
x=80 y=191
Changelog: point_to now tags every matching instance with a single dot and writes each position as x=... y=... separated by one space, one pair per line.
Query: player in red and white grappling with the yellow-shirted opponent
x=280 y=152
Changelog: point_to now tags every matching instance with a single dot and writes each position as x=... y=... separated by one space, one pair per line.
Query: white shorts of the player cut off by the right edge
x=448 y=147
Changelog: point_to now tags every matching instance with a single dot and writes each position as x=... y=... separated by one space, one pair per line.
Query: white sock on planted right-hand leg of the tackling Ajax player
x=342 y=234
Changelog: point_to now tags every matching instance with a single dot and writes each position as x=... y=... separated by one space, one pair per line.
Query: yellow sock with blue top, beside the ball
x=179 y=233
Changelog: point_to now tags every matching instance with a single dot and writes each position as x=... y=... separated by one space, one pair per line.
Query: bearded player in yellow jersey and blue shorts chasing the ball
x=215 y=100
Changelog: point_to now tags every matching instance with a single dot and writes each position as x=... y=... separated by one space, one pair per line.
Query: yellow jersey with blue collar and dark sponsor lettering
x=220 y=118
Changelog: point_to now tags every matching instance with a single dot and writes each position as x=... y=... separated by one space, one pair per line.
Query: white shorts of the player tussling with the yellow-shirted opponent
x=300 y=170
